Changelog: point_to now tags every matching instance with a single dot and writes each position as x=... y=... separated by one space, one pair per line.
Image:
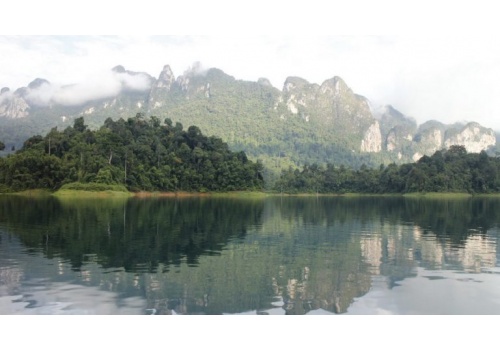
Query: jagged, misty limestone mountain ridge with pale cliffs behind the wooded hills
x=302 y=123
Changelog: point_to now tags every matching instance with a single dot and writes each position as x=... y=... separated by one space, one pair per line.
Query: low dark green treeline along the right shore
x=453 y=170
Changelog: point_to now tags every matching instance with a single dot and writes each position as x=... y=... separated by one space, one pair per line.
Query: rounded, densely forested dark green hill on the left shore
x=137 y=154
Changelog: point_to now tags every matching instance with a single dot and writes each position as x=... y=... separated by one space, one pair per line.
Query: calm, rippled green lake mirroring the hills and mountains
x=248 y=256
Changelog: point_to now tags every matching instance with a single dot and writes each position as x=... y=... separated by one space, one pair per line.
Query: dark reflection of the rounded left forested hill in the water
x=136 y=234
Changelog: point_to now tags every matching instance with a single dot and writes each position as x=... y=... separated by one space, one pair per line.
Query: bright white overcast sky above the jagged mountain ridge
x=431 y=61
